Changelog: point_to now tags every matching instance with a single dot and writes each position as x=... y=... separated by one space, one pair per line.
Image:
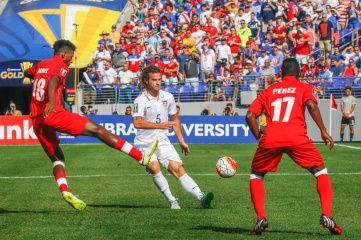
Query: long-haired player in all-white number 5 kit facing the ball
x=150 y=116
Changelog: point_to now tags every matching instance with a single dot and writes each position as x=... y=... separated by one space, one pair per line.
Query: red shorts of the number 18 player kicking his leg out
x=63 y=121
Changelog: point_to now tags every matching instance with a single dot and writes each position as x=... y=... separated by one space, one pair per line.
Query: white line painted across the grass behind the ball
x=137 y=175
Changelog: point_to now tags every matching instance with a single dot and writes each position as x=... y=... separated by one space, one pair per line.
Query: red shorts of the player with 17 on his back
x=267 y=159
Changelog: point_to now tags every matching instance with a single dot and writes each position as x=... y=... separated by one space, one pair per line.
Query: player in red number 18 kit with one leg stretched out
x=48 y=117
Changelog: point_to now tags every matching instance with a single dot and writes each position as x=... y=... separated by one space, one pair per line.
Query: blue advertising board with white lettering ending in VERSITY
x=196 y=129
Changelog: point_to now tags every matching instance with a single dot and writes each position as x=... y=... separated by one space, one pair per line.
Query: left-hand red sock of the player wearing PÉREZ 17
x=257 y=195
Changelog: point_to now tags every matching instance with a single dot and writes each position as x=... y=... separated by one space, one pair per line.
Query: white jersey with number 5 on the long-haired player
x=153 y=110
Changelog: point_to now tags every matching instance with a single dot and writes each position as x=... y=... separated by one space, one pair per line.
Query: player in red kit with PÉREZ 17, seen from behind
x=284 y=104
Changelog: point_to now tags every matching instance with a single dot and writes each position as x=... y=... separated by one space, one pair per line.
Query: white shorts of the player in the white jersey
x=164 y=153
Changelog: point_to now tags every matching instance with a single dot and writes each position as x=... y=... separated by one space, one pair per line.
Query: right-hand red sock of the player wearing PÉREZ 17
x=324 y=189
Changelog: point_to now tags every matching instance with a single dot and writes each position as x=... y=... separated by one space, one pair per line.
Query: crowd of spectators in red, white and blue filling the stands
x=225 y=46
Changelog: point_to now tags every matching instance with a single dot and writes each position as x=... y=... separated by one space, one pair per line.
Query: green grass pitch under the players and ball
x=123 y=202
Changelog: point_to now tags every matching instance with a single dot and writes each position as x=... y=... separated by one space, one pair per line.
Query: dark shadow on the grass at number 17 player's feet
x=247 y=231
